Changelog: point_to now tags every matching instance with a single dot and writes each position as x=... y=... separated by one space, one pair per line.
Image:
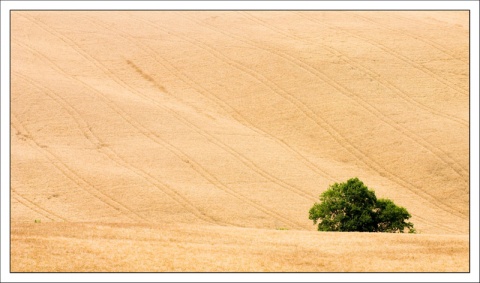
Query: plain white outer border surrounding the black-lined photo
x=7 y=6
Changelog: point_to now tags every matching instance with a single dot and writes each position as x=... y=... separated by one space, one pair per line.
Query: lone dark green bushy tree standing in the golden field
x=352 y=206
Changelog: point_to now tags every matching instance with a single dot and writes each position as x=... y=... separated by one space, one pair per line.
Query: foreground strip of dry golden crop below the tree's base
x=156 y=248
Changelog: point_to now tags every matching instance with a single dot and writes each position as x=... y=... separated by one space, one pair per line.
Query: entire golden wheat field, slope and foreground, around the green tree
x=198 y=140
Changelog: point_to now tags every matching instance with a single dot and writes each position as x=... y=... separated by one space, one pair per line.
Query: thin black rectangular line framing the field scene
x=233 y=272
